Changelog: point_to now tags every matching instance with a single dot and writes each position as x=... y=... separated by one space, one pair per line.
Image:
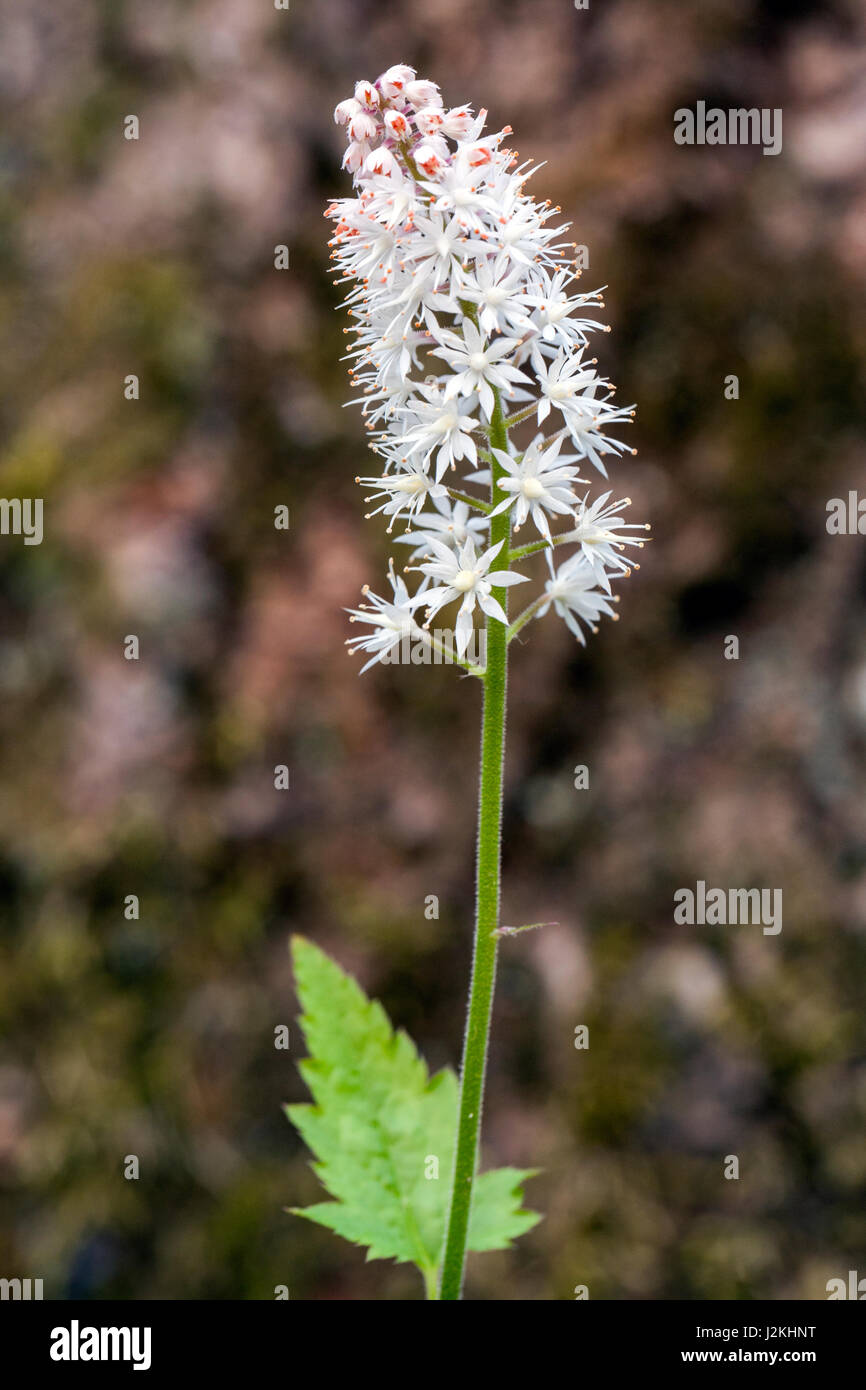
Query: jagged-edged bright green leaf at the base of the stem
x=376 y=1125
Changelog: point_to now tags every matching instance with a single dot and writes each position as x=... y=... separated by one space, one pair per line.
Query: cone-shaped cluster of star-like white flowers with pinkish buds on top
x=468 y=327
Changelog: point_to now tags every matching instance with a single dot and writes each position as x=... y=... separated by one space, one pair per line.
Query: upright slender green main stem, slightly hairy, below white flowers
x=487 y=907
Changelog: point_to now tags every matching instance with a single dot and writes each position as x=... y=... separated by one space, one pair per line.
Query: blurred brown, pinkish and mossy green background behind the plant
x=156 y=778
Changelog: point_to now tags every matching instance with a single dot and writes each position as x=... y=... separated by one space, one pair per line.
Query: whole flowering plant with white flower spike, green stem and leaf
x=468 y=327
